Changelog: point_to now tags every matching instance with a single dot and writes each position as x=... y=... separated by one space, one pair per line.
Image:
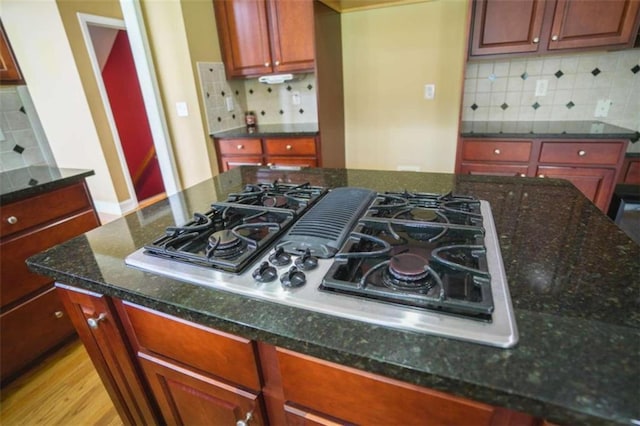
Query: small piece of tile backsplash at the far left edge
x=22 y=141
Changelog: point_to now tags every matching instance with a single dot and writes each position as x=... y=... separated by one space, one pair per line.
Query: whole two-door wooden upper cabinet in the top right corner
x=545 y=26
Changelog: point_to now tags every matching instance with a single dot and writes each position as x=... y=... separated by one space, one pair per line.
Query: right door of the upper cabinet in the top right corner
x=593 y=23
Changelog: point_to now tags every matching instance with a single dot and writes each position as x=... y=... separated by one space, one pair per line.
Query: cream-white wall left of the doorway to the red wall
x=44 y=53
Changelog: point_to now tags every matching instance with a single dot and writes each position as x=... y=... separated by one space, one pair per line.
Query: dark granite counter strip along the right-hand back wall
x=546 y=129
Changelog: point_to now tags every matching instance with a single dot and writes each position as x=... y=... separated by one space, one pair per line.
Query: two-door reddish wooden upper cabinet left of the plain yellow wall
x=265 y=36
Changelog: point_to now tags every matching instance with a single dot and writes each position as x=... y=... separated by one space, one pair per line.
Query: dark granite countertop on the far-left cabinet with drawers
x=25 y=182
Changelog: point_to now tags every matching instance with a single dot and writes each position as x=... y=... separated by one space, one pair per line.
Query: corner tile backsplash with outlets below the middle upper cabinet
x=272 y=104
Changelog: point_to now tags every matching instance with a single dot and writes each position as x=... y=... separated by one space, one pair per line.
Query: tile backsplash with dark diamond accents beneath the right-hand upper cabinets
x=512 y=89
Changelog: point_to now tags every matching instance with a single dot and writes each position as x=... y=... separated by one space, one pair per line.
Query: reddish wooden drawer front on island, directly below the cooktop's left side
x=207 y=350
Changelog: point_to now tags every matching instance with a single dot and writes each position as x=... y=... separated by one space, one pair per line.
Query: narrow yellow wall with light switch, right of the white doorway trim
x=166 y=28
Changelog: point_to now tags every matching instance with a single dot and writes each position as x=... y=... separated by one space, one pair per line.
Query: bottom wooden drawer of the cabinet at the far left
x=31 y=329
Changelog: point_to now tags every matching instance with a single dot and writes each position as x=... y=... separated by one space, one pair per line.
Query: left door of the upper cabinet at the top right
x=506 y=26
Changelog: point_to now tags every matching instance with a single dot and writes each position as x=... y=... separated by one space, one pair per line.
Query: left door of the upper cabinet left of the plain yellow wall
x=244 y=37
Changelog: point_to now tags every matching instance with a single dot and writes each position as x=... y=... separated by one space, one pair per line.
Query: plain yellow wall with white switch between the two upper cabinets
x=389 y=55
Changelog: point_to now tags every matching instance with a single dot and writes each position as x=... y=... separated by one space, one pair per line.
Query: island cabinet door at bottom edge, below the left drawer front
x=188 y=398
